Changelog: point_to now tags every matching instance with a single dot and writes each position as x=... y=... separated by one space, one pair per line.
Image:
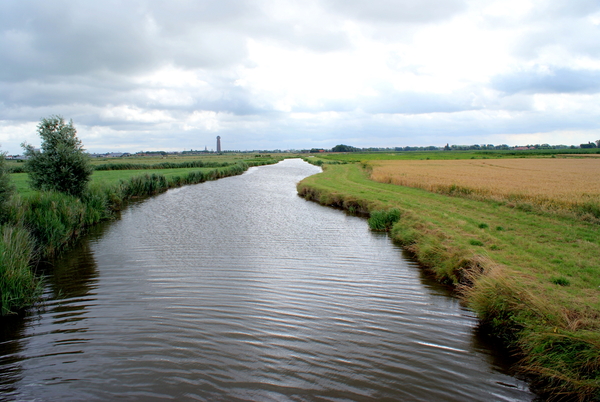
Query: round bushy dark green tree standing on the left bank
x=61 y=165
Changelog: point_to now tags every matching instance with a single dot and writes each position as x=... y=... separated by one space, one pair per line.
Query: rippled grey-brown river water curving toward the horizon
x=239 y=290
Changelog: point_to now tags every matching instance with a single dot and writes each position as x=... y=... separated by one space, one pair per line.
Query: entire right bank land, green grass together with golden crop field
x=519 y=238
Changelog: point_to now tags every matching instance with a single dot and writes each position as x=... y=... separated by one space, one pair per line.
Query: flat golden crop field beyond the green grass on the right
x=553 y=184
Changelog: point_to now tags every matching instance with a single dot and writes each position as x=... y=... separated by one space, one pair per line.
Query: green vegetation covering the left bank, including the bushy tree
x=40 y=218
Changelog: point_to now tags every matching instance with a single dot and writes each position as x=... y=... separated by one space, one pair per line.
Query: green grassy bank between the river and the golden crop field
x=532 y=278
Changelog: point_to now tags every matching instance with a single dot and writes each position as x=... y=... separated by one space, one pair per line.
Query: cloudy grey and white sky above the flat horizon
x=147 y=75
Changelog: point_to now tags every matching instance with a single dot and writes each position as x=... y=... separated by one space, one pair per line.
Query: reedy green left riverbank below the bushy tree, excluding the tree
x=41 y=224
